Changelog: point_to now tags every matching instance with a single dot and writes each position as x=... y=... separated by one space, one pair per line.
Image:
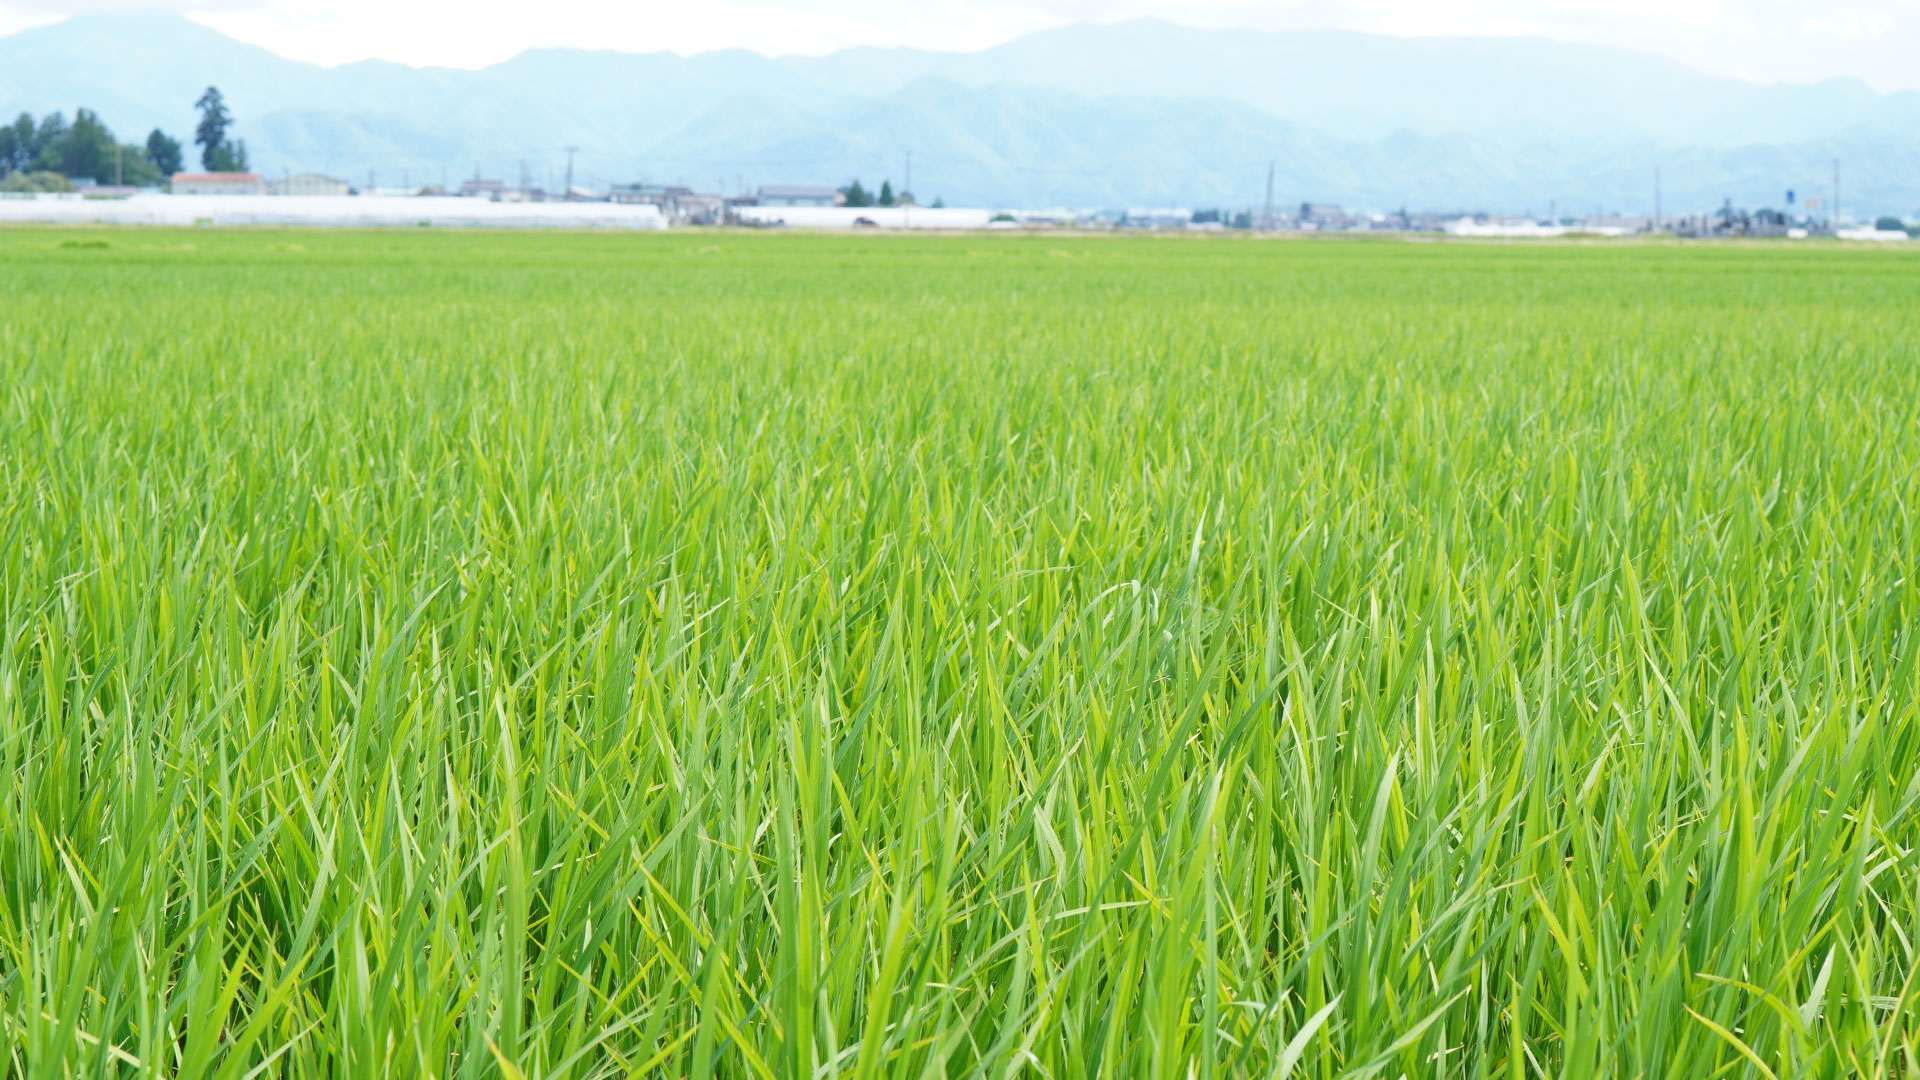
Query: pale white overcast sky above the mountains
x=1769 y=41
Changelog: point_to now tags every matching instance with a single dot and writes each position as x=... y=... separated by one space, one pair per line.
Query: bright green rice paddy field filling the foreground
x=759 y=656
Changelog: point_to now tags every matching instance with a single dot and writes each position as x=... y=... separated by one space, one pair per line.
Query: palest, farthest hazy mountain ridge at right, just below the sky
x=1370 y=86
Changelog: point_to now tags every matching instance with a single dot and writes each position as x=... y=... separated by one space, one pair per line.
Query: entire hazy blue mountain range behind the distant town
x=1128 y=114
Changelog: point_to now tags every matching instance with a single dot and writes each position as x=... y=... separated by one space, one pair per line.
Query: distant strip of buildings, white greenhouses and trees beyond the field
x=51 y=164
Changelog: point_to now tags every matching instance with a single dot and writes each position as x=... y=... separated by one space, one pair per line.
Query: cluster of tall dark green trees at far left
x=51 y=153
